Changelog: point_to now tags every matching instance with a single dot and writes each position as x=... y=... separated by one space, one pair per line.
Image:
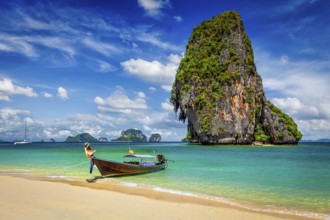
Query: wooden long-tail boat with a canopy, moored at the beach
x=131 y=165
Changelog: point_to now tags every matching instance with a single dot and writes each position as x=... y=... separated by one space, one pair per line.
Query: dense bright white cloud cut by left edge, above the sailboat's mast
x=7 y=89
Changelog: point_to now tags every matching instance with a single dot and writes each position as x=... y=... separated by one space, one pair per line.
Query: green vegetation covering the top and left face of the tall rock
x=207 y=65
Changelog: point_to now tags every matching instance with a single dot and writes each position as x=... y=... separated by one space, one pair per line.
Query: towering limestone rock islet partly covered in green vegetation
x=219 y=90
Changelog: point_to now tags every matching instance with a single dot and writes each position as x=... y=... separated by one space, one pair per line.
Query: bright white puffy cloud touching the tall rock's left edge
x=154 y=71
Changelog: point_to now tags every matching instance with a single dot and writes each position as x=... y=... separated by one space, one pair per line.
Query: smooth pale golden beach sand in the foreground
x=22 y=198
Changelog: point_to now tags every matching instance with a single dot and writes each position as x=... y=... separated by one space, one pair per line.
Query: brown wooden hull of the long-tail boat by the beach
x=114 y=168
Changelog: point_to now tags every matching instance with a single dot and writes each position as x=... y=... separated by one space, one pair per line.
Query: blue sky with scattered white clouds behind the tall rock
x=68 y=67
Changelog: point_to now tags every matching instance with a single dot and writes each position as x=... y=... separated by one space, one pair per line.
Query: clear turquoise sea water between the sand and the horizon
x=281 y=179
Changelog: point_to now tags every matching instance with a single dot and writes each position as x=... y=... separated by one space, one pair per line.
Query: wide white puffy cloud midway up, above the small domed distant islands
x=119 y=102
